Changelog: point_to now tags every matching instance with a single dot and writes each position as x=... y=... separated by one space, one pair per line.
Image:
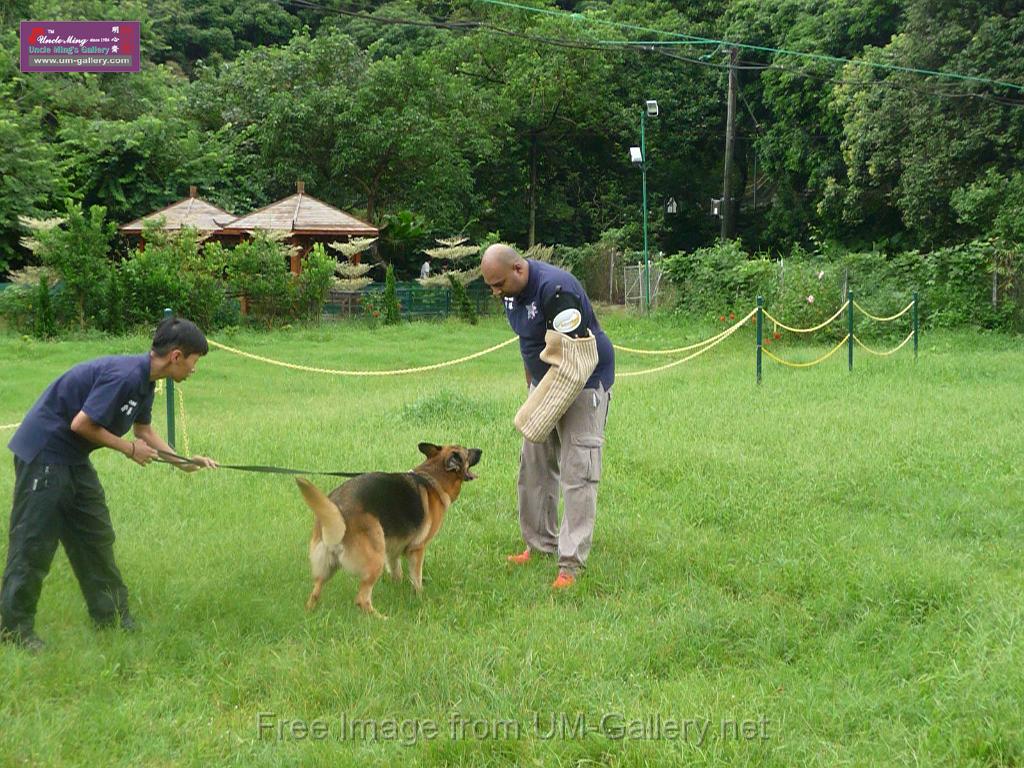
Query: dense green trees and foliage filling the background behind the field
x=432 y=118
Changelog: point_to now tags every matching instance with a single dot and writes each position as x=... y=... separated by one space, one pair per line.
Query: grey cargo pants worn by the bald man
x=570 y=461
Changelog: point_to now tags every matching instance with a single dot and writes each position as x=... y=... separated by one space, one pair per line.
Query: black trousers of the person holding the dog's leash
x=60 y=503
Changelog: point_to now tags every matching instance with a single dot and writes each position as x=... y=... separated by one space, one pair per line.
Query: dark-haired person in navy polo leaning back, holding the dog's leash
x=58 y=496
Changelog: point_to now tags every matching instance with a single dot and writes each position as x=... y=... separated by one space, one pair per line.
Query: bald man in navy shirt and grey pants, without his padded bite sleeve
x=538 y=297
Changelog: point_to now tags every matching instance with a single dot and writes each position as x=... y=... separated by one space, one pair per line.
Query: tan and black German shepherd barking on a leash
x=369 y=523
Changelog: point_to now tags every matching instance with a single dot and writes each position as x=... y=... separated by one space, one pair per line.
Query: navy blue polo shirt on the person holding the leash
x=115 y=393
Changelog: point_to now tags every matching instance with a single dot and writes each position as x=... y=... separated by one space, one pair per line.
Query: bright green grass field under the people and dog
x=827 y=570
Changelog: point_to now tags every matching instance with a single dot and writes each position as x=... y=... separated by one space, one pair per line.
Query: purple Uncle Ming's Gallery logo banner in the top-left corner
x=80 y=47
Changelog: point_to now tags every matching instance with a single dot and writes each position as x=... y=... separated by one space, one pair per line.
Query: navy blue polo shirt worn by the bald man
x=526 y=316
